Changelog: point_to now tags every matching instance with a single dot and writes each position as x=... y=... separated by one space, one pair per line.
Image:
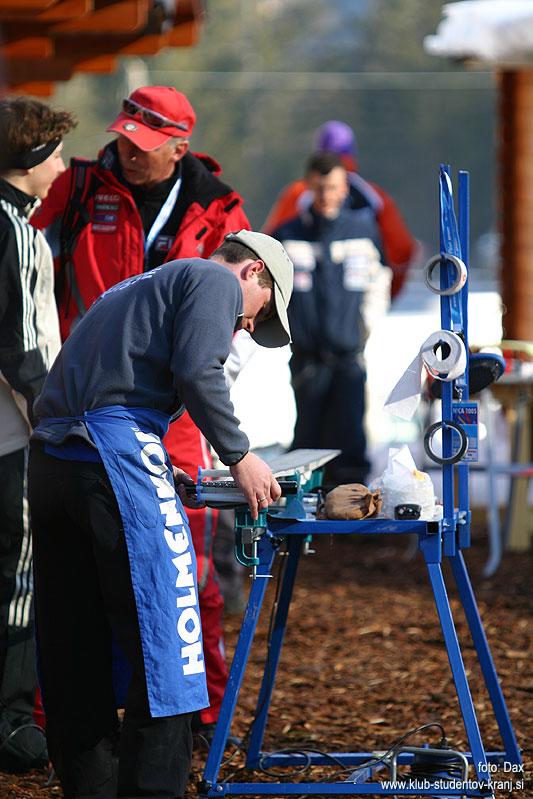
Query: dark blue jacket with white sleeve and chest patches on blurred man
x=336 y=262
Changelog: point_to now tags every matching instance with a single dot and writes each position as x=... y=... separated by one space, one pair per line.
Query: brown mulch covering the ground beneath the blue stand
x=364 y=662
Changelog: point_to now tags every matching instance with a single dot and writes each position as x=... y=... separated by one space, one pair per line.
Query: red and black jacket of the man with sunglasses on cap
x=107 y=238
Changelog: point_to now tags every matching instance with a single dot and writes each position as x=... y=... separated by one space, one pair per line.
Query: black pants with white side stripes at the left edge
x=18 y=677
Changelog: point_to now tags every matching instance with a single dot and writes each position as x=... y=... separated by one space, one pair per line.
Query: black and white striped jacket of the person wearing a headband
x=29 y=329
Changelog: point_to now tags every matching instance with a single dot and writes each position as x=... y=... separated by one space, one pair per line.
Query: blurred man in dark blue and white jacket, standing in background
x=341 y=288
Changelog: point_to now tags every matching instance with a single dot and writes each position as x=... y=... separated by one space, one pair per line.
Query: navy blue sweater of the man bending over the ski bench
x=157 y=340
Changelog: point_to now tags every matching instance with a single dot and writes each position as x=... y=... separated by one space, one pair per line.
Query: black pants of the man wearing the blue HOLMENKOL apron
x=83 y=598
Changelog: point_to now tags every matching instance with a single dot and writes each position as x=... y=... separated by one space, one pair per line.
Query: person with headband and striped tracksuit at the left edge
x=31 y=136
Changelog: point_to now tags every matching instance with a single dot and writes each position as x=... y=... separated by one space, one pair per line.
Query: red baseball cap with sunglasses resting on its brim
x=152 y=115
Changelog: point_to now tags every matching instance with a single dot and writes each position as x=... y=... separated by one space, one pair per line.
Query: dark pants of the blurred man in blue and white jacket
x=330 y=403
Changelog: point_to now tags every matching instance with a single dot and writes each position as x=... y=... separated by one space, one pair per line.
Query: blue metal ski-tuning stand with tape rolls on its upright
x=445 y=538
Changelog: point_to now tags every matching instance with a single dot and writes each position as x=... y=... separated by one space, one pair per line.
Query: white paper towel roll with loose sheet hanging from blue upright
x=443 y=354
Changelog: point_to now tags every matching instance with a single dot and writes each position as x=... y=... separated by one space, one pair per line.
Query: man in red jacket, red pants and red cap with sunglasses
x=146 y=200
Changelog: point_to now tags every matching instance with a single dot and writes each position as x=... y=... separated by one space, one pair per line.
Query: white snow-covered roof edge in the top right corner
x=496 y=31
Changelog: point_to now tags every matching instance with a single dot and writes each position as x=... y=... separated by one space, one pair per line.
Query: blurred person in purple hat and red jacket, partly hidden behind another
x=399 y=247
